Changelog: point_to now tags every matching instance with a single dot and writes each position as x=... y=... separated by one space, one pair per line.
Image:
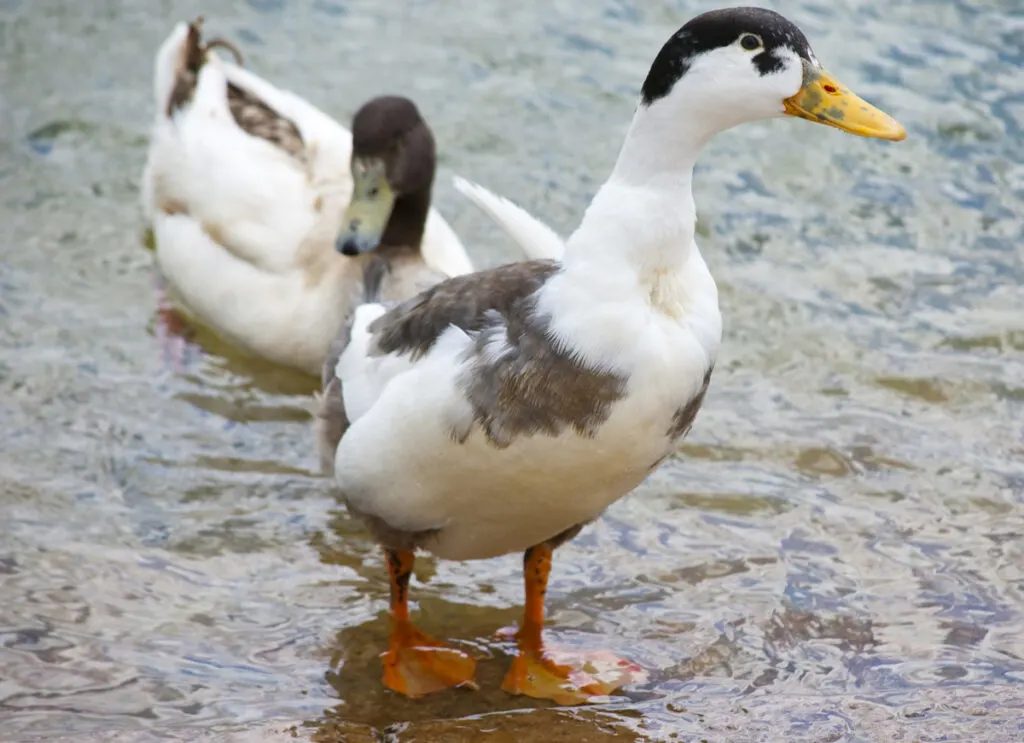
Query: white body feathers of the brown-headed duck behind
x=244 y=232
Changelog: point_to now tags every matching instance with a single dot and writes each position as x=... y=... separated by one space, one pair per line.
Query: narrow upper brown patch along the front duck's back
x=468 y=302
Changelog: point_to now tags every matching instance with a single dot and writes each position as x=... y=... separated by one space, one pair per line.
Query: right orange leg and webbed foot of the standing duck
x=535 y=672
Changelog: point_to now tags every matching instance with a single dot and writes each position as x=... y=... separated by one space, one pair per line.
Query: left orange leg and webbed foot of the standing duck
x=415 y=663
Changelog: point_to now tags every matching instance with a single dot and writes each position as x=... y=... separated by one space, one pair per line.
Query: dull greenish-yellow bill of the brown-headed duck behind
x=370 y=209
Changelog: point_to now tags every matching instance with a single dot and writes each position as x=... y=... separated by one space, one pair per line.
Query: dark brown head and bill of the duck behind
x=394 y=162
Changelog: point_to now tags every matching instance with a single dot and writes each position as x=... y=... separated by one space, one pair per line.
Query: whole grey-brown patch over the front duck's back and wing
x=518 y=381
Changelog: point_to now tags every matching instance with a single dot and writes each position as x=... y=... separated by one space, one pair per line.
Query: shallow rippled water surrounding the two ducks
x=836 y=553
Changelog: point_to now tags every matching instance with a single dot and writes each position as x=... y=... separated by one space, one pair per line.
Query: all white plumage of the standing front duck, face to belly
x=634 y=298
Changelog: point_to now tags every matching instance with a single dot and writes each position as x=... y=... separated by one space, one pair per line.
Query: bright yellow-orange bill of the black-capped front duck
x=826 y=101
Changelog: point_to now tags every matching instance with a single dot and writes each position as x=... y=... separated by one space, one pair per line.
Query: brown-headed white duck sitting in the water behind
x=252 y=193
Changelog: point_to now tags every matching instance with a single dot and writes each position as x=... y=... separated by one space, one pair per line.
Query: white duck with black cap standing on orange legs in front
x=504 y=411
